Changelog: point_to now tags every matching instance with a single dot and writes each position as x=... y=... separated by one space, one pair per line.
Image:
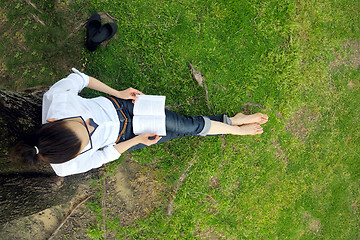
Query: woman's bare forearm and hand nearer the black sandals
x=129 y=93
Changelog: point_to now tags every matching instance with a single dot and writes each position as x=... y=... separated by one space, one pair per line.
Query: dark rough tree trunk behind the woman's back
x=25 y=191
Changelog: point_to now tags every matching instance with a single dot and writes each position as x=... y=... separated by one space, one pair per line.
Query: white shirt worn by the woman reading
x=62 y=101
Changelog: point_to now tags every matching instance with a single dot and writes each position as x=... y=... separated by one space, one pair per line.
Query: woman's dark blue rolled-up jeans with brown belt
x=176 y=125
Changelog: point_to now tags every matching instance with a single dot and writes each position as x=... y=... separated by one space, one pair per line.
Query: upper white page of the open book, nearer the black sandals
x=150 y=105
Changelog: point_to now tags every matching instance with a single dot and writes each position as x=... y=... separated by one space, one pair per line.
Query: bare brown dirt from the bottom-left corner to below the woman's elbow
x=131 y=193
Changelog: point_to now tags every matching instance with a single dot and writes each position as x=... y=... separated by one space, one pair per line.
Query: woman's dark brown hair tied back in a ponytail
x=53 y=143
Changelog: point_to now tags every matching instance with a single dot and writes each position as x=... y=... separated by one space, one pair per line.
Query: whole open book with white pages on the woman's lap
x=149 y=115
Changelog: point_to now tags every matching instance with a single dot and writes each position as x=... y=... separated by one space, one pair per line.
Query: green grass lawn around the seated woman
x=297 y=61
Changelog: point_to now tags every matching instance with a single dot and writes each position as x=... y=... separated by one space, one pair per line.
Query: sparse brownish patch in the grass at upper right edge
x=348 y=55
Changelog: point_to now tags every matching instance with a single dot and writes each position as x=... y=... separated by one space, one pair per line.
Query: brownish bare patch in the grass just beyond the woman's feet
x=302 y=122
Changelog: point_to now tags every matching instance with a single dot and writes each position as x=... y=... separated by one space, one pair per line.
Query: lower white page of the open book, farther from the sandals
x=149 y=124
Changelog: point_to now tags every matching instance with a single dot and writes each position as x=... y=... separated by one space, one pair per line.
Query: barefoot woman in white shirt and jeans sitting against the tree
x=80 y=134
